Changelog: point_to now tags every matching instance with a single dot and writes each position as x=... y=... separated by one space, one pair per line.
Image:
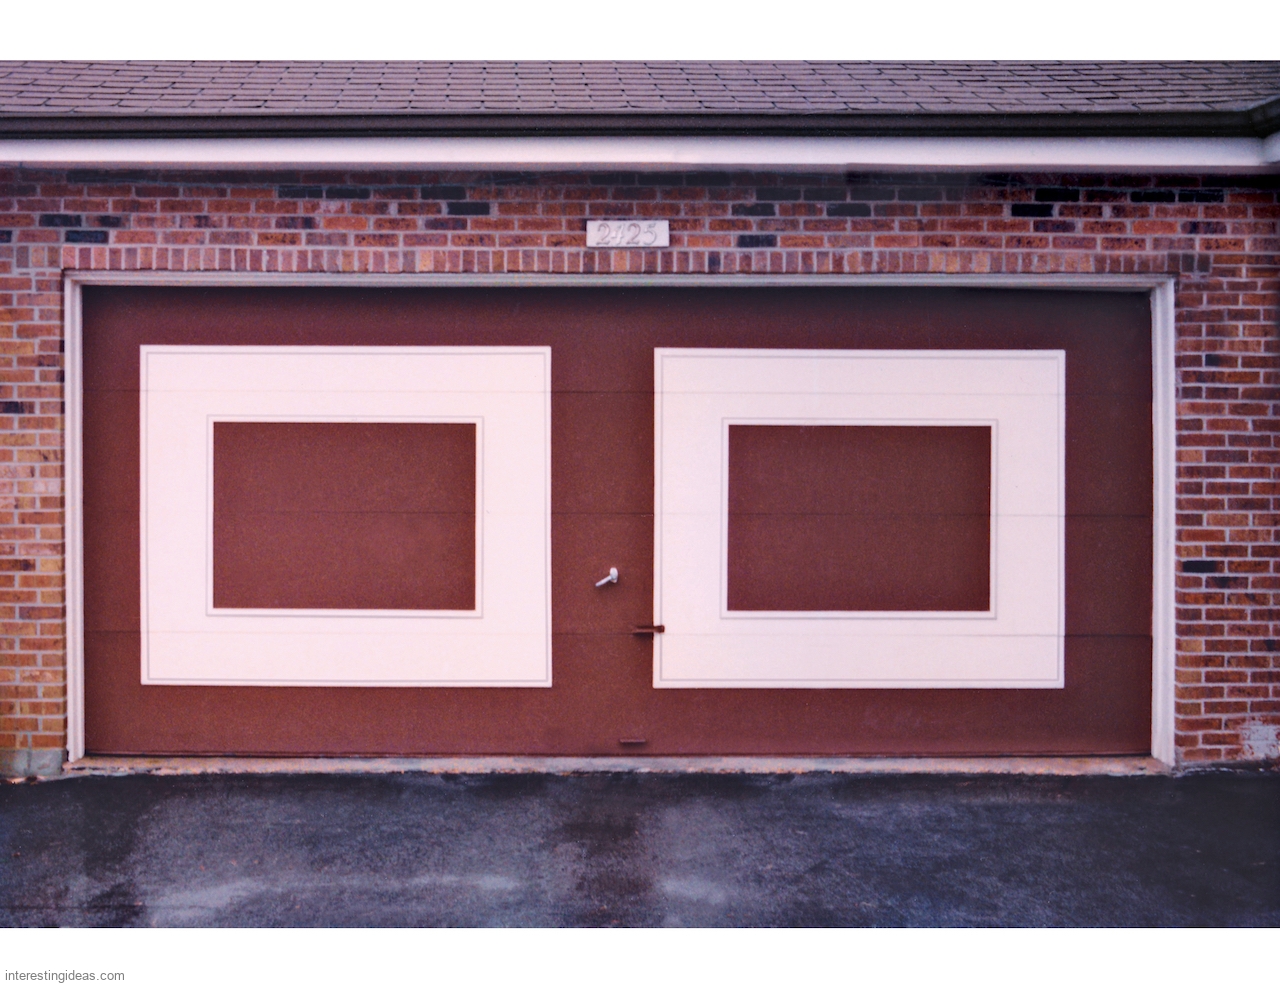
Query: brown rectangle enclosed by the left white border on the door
x=345 y=515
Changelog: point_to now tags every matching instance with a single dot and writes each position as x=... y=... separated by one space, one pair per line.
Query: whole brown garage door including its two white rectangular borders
x=843 y=522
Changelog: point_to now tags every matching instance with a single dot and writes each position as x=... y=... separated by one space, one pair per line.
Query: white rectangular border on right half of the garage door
x=1014 y=642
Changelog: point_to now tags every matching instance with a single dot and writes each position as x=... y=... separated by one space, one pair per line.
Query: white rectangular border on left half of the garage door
x=504 y=392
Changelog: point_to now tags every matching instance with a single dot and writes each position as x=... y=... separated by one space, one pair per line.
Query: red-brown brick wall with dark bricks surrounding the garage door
x=1220 y=237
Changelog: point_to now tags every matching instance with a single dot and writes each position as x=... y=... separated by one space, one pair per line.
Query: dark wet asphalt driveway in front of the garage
x=813 y=850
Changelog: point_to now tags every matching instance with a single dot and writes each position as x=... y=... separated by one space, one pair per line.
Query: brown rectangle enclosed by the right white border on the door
x=854 y=518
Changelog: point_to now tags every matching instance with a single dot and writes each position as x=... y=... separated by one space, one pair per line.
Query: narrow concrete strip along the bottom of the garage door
x=515 y=765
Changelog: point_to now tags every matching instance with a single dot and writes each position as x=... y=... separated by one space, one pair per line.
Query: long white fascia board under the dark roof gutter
x=664 y=154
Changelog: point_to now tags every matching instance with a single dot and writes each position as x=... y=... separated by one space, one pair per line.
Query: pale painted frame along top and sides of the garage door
x=1160 y=290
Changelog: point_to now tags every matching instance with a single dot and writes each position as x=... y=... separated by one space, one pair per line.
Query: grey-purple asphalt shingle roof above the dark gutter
x=633 y=92
